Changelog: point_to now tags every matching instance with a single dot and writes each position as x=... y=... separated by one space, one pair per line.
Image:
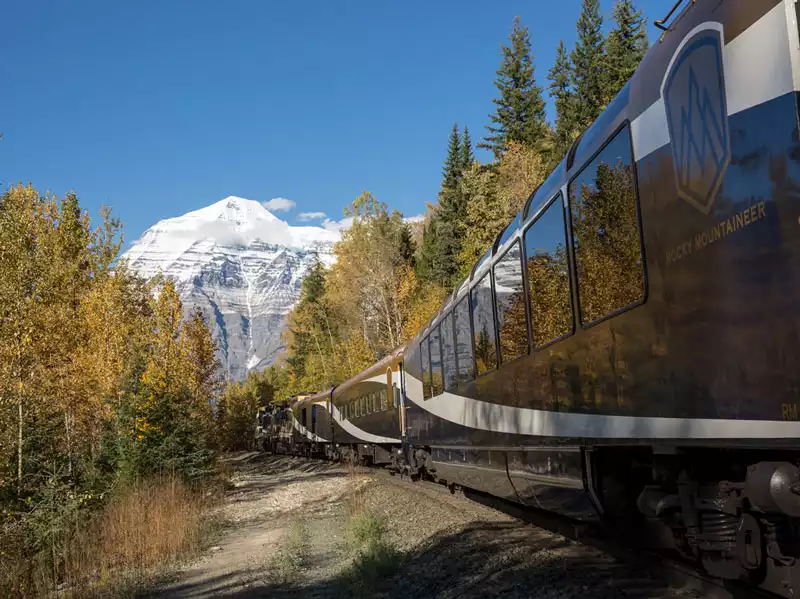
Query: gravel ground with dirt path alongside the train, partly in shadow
x=447 y=546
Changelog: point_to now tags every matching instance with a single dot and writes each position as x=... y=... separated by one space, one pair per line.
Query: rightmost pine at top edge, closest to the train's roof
x=625 y=47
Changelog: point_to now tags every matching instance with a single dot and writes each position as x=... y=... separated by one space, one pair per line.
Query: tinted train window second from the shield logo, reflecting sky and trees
x=548 y=275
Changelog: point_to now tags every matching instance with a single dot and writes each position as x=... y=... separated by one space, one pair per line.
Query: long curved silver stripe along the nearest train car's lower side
x=542 y=423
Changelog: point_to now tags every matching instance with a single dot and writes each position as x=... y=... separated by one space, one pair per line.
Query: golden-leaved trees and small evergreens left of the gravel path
x=100 y=382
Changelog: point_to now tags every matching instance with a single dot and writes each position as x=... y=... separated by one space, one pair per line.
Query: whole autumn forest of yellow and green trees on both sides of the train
x=105 y=381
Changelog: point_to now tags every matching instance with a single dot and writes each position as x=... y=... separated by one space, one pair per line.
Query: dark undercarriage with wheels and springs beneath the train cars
x=732 y=514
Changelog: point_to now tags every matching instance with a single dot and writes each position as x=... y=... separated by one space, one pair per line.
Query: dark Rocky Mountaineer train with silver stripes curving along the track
x=627 y=351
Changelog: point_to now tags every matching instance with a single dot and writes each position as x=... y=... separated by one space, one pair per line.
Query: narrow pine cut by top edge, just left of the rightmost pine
x=588 y=60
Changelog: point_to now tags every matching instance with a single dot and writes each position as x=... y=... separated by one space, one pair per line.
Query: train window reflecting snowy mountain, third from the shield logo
x=510 y=299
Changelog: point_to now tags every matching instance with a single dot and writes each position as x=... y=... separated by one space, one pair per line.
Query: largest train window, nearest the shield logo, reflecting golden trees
x=605 y=229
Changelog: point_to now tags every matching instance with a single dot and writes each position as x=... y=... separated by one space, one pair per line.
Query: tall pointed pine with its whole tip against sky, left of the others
x=520 y=108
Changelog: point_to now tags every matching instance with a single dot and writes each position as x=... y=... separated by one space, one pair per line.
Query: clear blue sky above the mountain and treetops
x=157 y=108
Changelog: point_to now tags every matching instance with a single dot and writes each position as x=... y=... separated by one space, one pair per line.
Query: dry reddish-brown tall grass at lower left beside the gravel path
x=141 y=529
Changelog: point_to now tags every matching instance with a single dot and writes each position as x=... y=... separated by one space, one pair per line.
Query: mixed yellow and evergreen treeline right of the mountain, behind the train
x=391 y=276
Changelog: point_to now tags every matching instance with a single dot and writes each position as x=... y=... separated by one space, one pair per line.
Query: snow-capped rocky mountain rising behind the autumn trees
x=242 y=266
